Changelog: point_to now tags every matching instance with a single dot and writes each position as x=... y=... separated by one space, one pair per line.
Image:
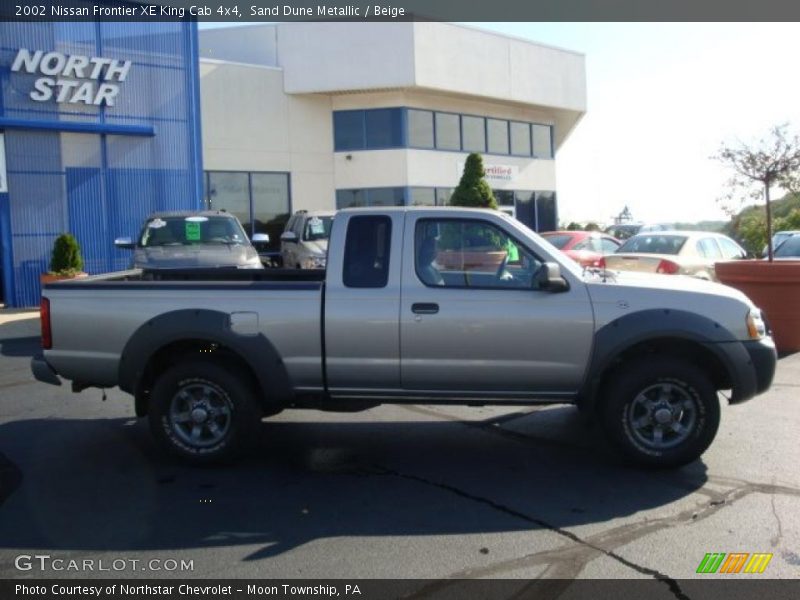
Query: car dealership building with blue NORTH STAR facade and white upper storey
x=100 y=124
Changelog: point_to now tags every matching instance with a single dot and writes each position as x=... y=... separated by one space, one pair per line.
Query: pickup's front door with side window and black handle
x=473 y=321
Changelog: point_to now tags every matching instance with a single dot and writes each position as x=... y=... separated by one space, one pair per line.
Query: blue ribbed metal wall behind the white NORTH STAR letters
x=97 y=186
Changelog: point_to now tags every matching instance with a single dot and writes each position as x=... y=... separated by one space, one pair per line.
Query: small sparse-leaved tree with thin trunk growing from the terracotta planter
x=774 y=160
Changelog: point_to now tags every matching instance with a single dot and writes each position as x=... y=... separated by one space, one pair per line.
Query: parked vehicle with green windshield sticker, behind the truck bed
x=179 y=240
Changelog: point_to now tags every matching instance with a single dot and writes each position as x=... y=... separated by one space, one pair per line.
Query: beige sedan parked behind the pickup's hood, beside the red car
x=675 y=253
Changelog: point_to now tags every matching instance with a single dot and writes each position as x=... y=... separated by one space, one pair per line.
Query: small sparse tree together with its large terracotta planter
x=774 y=286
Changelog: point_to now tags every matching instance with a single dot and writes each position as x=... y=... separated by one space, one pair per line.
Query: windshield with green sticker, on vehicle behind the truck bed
x=179 y=231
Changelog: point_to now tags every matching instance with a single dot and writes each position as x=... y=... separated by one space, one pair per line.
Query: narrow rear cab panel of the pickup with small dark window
x=362 y=304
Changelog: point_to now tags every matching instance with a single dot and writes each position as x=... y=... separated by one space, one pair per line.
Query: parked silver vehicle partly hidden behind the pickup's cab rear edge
x=304 y=242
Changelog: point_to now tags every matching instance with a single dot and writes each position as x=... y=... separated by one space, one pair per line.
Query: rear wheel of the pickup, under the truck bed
x=200 y=395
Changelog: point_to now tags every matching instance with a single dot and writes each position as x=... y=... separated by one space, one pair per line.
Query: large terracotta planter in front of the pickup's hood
x=775 y=288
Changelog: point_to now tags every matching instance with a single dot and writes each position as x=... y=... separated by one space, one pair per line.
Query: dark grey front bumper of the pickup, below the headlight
x=752 y=367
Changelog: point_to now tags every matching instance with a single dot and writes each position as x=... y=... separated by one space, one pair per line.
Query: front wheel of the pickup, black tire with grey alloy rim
x=666 y=394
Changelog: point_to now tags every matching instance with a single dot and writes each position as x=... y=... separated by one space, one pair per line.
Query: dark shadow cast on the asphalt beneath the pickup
x=101 y=485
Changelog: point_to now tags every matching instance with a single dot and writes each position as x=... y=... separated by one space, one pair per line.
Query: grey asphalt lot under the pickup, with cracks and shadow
x=410 y=492
